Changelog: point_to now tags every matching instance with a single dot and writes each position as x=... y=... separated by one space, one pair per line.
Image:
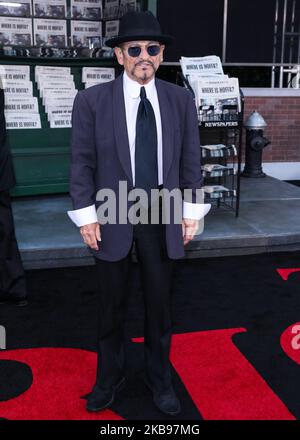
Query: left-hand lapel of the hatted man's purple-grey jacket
x=120 y=127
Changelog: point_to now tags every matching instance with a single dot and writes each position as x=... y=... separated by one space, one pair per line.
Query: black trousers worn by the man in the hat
x=156 y=275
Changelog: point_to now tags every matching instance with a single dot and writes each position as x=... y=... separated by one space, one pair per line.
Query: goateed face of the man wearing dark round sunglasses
x=141 y=68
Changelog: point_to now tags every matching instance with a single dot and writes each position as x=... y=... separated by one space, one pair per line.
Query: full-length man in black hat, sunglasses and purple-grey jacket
x=142 y=132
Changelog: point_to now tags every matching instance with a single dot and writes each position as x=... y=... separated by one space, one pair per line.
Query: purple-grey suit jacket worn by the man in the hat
x=101 y=158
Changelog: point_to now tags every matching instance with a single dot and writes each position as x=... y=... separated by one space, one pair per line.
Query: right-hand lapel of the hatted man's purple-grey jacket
x=167 y=131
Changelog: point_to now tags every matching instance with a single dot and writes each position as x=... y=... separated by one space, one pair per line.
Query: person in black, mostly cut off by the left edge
x=12 y=277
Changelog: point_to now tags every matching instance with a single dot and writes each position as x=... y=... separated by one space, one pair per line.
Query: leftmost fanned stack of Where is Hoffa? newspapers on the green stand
x=21 y=107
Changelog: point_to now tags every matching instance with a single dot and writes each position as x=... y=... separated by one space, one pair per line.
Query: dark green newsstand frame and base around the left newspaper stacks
x=41 y=156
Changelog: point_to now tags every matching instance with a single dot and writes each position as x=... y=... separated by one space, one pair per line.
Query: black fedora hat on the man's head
x=139 y=26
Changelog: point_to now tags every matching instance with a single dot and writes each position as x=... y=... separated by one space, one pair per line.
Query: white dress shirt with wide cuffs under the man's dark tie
x=132 y=89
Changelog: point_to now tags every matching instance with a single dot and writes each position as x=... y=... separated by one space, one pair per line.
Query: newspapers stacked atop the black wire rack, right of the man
x=215 y=93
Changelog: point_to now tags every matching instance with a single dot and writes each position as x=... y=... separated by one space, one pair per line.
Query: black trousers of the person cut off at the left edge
x=12 y=278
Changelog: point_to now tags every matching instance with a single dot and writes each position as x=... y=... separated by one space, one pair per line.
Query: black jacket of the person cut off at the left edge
x=7 y=175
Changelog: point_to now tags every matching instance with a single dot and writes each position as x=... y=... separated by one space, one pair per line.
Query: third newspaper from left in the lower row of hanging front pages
x=84 y=33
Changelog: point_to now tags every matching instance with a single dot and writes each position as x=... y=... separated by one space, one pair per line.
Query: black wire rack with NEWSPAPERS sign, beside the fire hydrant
x=224 y=126
